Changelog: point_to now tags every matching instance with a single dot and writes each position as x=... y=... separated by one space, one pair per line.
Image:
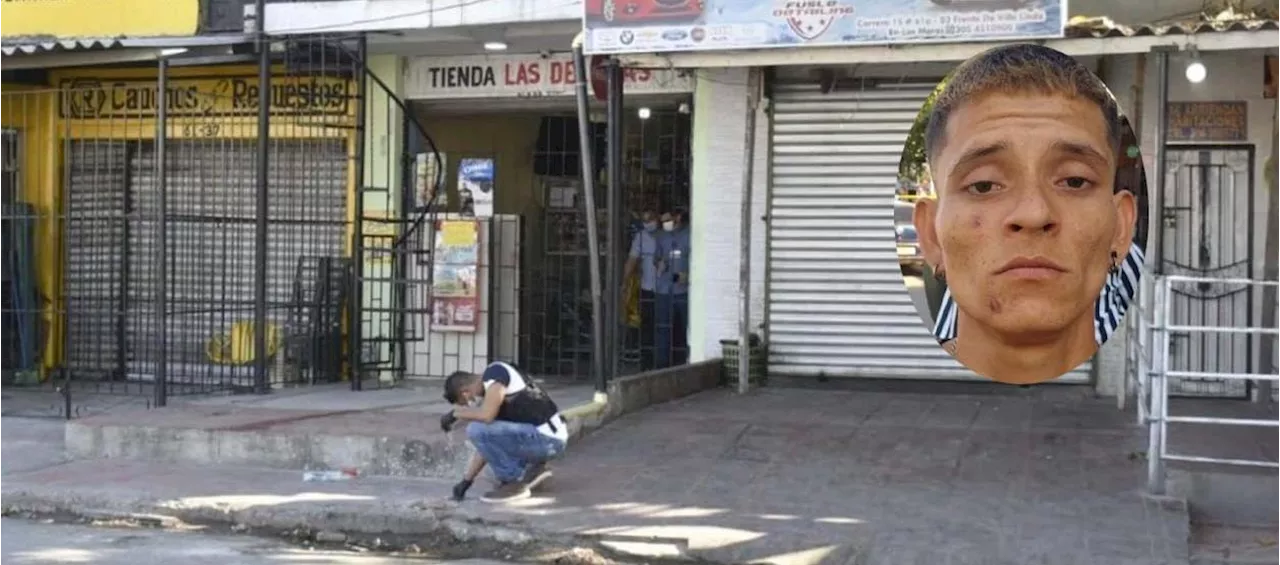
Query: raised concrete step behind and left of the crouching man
x=392 y=432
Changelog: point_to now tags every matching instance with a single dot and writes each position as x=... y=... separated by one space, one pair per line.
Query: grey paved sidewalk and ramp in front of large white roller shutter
x=1049 y=477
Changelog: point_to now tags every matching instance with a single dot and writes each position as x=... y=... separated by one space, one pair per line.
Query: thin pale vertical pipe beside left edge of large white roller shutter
x=744 y=275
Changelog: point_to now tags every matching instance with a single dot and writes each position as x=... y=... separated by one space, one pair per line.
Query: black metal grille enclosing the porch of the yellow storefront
x=135 y=259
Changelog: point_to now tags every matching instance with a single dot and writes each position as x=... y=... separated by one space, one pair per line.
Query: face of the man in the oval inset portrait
x=1026 y=218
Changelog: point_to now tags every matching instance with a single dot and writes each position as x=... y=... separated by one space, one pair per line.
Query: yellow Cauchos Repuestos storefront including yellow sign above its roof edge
x=129 y=162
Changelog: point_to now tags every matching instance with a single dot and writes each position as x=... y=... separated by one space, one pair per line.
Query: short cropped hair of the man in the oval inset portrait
x=1022 y=69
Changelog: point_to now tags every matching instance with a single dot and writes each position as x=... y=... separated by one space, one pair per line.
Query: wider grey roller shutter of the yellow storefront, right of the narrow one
x=211 y=239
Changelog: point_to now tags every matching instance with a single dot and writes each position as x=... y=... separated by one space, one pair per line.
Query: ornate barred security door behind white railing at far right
x=1208 y=222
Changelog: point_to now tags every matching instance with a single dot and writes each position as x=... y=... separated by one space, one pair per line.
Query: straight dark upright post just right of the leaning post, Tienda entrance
x=615 y=212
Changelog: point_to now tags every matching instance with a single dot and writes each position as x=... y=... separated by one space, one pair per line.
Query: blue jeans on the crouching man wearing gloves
x=510 y=448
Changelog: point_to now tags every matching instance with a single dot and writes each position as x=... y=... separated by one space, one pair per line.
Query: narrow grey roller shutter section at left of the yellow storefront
x=95 y=285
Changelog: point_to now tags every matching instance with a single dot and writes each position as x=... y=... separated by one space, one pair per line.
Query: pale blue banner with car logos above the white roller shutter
x=668 y=26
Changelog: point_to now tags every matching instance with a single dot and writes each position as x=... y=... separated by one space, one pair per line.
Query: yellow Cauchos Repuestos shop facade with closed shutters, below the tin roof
x=89 y=152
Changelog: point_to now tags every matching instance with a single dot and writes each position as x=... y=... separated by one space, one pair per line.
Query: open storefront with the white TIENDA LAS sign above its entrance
x=493 y=90
